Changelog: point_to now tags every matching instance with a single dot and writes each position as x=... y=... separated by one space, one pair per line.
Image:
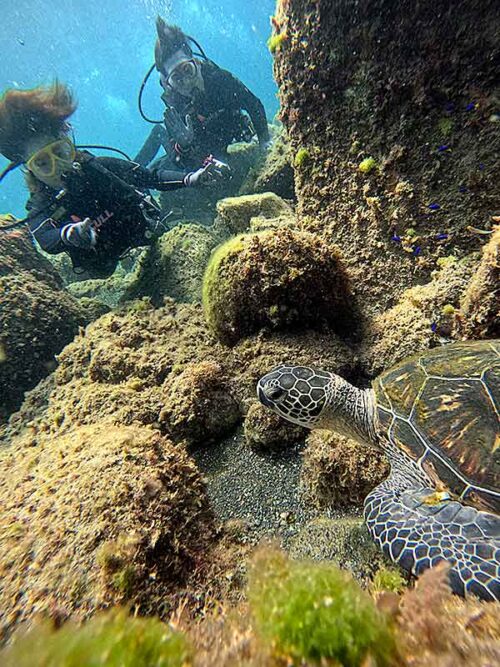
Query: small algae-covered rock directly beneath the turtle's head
x=265 y=430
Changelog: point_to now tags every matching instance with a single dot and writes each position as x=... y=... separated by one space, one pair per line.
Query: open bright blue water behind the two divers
x=103 y=49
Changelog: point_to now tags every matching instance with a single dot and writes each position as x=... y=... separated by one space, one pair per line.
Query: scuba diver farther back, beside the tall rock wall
x=204 y=105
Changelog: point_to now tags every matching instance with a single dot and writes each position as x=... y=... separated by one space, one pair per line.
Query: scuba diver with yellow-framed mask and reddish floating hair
x=93 y=208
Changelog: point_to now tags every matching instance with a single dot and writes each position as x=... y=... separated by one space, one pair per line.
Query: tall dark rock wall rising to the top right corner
x=413 y=90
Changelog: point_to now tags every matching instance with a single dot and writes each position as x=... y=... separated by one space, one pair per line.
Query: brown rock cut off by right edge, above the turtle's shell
x=480 y=305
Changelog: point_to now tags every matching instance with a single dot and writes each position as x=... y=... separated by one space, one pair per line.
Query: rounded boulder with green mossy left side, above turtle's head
x=276 y=279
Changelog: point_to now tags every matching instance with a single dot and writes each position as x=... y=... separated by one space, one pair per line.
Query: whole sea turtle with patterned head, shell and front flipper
x=436 y=417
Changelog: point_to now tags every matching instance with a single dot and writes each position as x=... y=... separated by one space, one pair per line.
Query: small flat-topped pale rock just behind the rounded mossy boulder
x=235 y=213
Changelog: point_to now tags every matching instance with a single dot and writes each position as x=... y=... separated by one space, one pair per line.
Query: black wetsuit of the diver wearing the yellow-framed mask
x=110 y=192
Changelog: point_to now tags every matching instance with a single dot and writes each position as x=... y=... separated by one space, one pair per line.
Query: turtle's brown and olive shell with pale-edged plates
x=441 y=408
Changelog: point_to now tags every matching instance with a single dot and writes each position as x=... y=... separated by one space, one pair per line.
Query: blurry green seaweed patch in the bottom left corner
x=113 y=638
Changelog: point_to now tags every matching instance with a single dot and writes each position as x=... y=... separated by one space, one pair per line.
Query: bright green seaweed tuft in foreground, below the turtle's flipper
x=316 y=612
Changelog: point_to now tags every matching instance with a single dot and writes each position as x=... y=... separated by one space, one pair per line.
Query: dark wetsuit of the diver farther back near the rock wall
x=217 y=119
